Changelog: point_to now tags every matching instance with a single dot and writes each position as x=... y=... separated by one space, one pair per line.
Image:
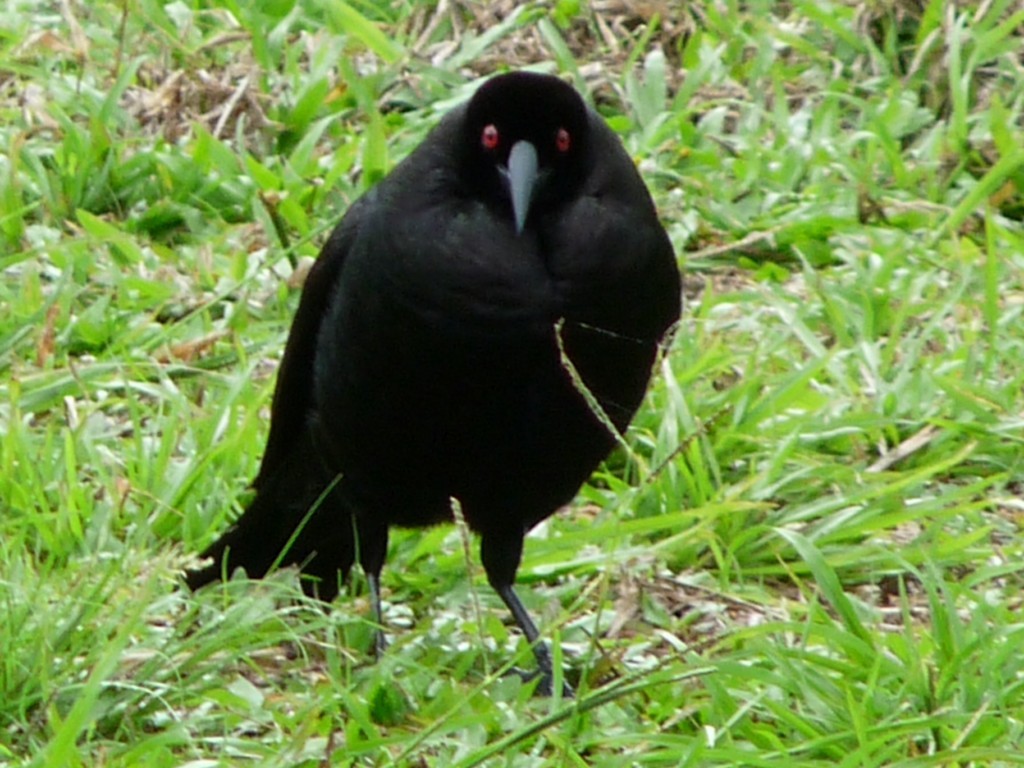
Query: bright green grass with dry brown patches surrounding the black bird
x=812 y=554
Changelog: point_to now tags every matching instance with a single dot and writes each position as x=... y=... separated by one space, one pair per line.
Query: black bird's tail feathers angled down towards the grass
x=297 y=518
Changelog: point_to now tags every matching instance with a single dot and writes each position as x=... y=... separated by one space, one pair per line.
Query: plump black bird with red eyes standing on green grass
x=452 y=342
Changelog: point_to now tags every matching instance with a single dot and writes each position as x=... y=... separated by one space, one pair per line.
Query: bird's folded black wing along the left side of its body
x=293 y=398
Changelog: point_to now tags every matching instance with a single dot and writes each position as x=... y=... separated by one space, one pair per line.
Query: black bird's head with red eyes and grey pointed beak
x=525 y=141
